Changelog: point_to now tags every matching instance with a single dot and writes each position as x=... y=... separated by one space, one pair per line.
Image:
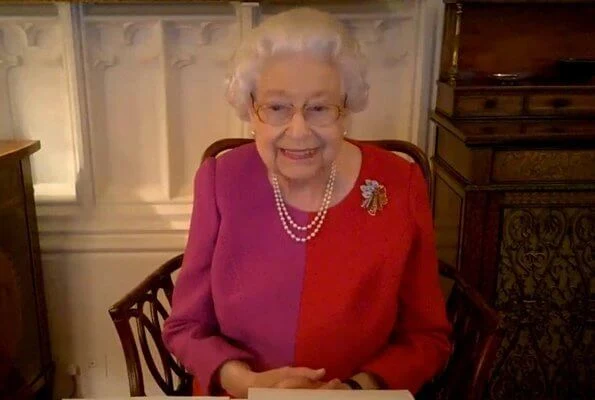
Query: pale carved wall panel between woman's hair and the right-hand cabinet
x=388 y=41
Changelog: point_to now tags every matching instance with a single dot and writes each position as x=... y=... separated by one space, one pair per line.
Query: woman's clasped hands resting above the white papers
x=236 y=378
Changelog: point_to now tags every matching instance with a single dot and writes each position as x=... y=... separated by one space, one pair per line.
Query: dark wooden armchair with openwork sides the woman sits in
x=475 y=324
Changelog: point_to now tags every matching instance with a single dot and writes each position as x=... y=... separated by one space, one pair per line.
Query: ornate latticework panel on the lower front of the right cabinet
x=545 y=289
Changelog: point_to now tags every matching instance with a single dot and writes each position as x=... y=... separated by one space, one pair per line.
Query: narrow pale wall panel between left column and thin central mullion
x=124 y=79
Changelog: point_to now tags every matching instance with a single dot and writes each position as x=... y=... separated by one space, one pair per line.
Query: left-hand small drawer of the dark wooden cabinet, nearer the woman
x=502 y=105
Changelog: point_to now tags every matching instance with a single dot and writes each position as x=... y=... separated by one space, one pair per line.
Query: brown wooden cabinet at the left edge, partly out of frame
x=26 y=366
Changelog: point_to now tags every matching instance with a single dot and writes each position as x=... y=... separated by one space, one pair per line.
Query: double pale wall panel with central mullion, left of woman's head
x=156 y=82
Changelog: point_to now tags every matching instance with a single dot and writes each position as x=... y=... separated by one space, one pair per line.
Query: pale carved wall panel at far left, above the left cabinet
x=34 y=96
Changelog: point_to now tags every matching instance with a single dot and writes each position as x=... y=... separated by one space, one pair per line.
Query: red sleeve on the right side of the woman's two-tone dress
x=421 y=345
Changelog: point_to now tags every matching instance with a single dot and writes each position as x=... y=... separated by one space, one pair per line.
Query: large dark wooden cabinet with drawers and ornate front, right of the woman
x=514 y=187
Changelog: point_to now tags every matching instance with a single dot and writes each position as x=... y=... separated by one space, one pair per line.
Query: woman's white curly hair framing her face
x=297 y=31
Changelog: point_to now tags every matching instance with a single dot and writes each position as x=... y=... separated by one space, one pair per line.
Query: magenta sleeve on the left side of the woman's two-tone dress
x=191 y=333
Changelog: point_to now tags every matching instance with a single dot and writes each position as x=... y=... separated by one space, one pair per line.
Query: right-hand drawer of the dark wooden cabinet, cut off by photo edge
x=548 y=104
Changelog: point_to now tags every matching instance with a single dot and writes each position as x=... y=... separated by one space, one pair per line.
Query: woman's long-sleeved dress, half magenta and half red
x=362 y=296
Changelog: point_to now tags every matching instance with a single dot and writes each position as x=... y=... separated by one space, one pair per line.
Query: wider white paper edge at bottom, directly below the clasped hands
x=307 y=394
